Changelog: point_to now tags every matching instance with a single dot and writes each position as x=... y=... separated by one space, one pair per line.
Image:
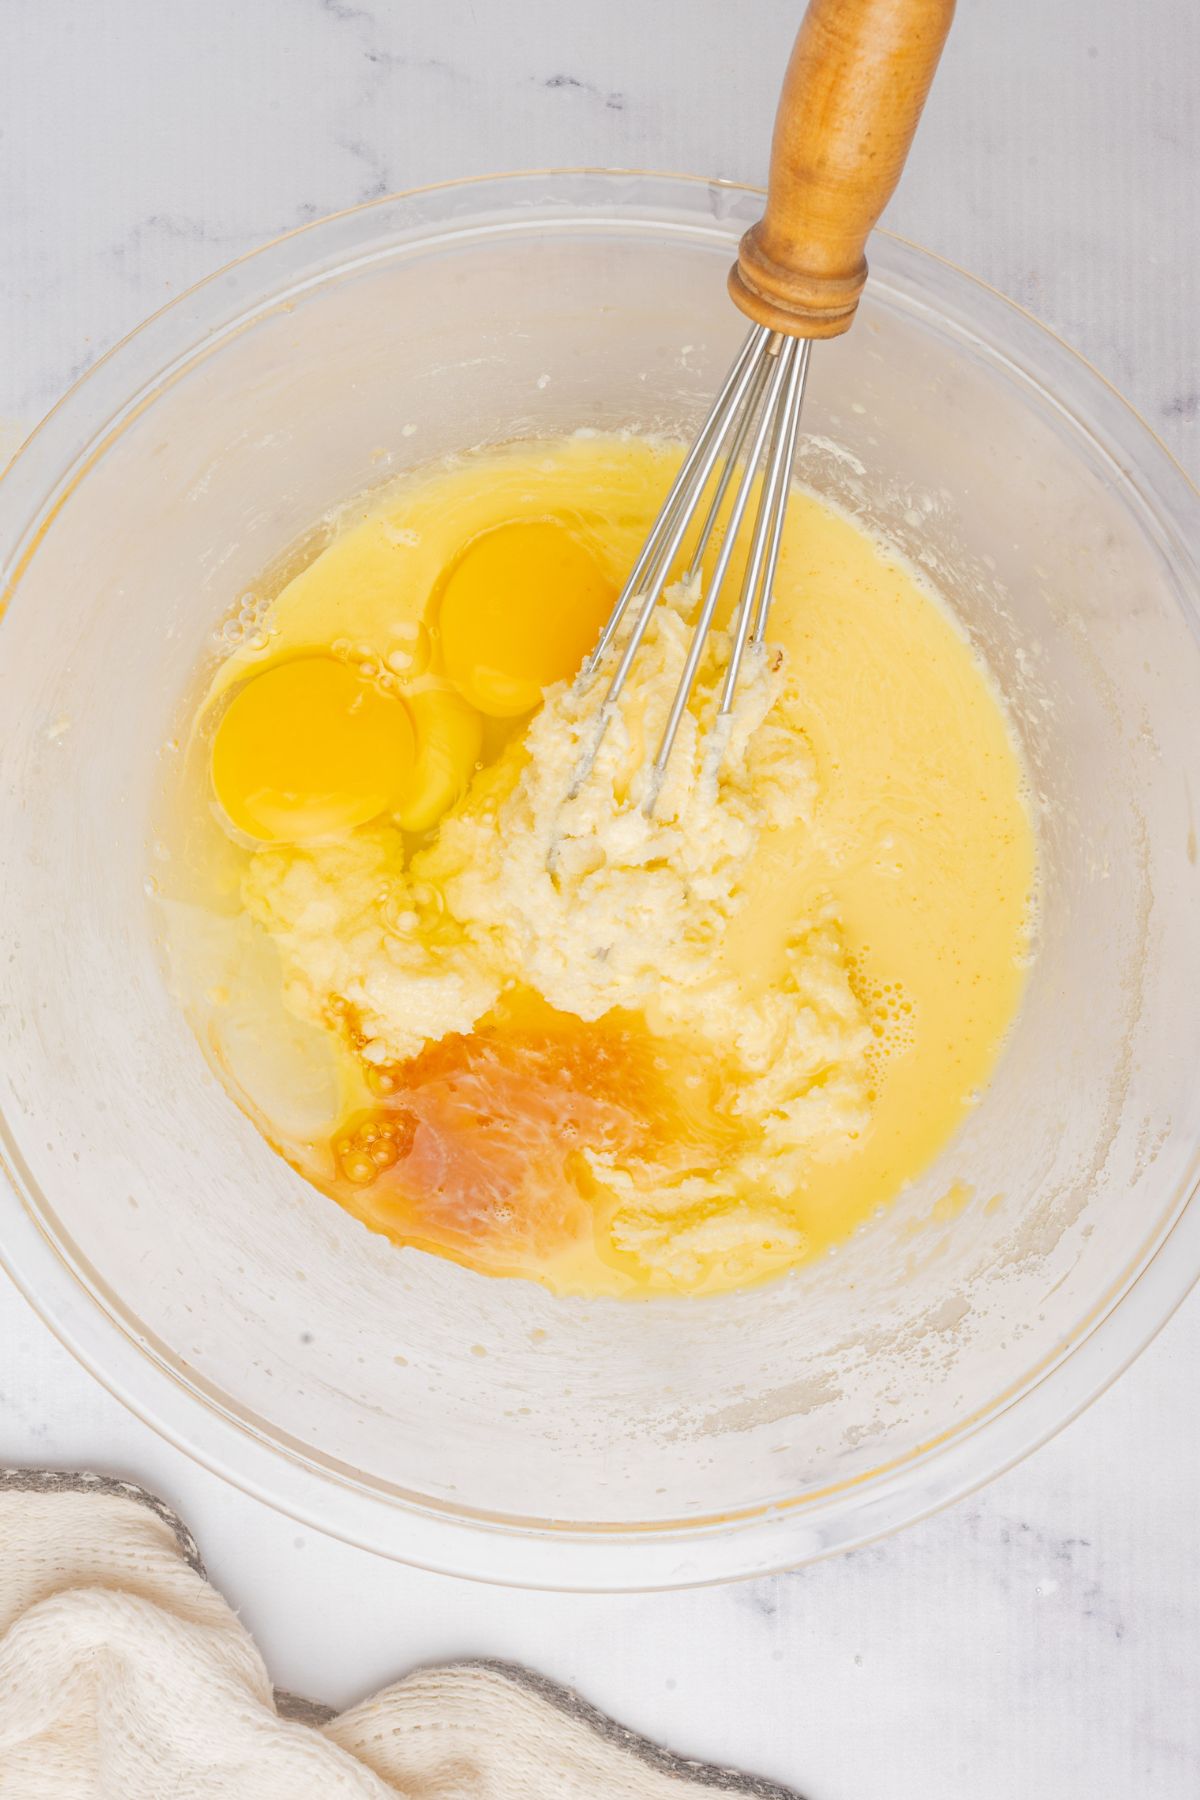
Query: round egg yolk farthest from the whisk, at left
x=307 y=750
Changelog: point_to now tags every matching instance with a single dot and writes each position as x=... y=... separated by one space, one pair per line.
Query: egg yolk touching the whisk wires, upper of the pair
x=519 y=611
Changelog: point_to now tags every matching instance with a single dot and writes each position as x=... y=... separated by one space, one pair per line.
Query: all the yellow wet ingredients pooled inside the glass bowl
x=553 y=1038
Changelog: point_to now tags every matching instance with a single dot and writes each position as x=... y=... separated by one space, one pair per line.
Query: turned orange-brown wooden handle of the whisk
x=850 y=105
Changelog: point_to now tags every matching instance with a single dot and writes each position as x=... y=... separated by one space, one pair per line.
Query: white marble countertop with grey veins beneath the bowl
x=1043 y=1639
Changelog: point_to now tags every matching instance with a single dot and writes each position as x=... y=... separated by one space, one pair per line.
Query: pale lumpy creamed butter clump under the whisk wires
x=578 y=892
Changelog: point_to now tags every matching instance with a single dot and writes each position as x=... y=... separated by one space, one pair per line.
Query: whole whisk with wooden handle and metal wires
x=850 y=105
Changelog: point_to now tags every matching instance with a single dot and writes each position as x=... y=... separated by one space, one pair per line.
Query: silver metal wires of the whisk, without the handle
x=753 y=426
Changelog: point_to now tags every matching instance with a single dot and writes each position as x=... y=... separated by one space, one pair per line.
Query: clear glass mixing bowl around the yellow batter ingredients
x=485 y=1426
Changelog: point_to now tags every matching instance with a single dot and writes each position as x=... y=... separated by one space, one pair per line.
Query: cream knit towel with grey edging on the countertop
x=127 y=1677
